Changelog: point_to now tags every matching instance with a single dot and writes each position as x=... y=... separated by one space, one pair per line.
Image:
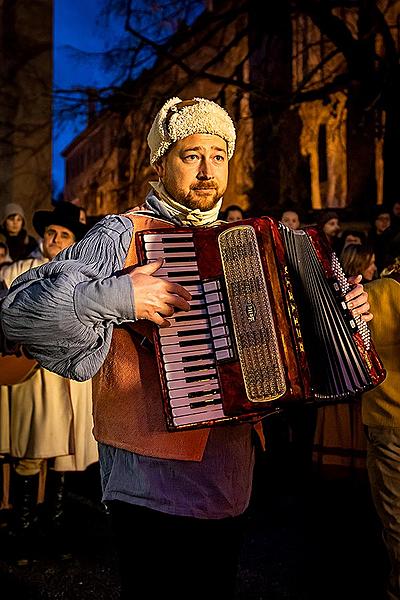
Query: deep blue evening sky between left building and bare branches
x=81 y=35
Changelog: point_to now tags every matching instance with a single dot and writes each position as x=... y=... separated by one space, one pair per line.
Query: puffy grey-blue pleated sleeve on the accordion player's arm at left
x=64 y=311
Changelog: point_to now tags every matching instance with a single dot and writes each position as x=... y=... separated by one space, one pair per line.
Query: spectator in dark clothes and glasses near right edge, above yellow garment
x=381 y=237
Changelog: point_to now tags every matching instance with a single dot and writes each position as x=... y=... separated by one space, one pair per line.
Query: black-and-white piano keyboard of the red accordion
x=196 y=340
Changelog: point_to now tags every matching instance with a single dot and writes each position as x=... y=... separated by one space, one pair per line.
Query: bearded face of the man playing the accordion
x=195 y=170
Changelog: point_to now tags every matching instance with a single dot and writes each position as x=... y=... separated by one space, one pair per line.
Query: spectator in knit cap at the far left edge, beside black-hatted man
x=20 y=244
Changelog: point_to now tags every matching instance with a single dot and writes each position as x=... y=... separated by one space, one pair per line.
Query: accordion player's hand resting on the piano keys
x=157 y=298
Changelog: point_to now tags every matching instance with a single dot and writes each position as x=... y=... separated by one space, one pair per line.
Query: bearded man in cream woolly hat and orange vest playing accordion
x=190 y=486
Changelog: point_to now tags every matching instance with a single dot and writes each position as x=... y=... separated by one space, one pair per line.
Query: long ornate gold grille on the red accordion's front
x=250 y=307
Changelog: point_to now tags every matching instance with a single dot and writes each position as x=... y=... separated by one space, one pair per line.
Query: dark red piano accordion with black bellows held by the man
x=268 y=324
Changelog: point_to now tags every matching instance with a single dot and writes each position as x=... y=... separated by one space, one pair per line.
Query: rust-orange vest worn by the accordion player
x=127 y=404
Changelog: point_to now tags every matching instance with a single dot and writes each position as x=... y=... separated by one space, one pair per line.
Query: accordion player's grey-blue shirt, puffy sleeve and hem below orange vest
x=64 y=313
